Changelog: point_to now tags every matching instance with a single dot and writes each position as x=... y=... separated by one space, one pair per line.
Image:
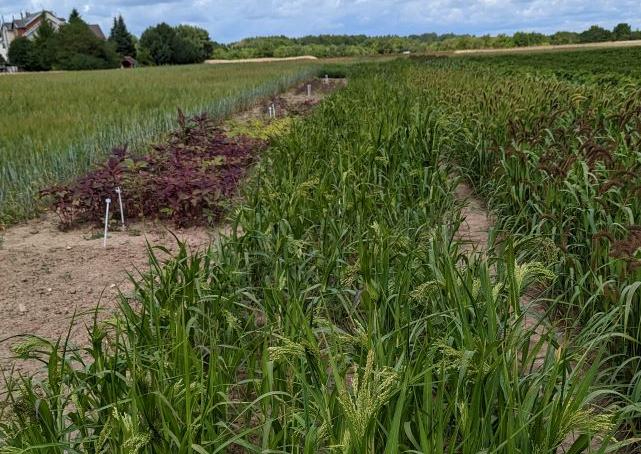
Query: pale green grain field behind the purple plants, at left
x=60 y=124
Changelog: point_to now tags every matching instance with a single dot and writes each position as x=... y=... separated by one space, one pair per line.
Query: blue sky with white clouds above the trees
x=232 y=20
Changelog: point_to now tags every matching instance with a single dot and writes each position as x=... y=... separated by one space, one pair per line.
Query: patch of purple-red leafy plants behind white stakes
x=185 y=179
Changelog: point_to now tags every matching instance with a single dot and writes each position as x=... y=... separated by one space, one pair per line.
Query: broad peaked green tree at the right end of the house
x=79 y=48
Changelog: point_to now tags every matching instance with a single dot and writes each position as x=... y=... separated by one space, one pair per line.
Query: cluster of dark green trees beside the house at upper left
x=76 y=47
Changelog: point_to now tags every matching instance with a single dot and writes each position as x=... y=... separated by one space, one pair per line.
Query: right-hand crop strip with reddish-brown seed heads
x=559 y=162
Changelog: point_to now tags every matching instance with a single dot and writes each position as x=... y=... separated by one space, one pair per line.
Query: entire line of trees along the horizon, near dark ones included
x=74 y=46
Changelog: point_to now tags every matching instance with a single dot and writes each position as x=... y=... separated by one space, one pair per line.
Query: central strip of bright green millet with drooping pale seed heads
x=335 y=315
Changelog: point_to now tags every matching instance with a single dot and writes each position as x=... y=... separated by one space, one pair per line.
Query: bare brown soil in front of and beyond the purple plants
x=47 y=275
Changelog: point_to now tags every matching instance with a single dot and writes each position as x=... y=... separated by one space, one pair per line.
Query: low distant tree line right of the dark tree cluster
x=356 y=45
